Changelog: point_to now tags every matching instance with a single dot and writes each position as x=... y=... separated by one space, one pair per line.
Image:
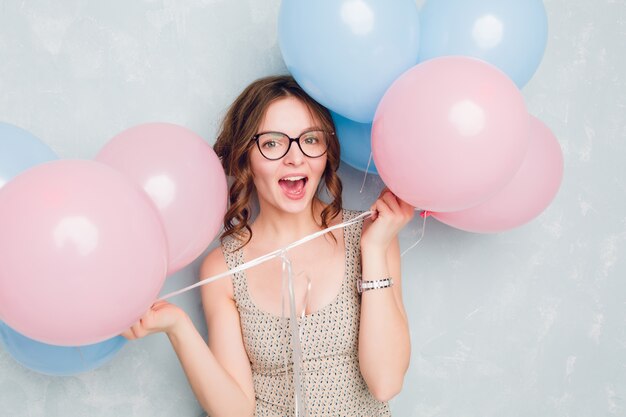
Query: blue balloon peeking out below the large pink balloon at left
x=58 y=360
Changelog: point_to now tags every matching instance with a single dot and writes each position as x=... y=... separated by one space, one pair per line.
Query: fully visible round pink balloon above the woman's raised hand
x=449 y=133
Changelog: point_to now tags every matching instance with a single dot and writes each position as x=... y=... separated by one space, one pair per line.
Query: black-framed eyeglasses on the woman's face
x=275 y=145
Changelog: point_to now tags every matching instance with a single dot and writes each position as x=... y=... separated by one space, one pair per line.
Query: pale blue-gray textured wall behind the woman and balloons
x=530 y=322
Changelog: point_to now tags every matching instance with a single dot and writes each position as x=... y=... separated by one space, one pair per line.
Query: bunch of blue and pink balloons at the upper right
x=435 y=95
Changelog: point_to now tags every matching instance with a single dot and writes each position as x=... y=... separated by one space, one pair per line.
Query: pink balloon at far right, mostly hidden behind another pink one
x=525 y=197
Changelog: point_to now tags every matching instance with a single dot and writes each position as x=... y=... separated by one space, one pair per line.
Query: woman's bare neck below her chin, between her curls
x=279 y=228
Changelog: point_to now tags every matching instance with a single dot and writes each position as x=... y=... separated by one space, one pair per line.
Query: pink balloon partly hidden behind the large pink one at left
x=184 y=178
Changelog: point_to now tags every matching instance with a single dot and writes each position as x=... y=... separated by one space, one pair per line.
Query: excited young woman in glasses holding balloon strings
x=279 y=147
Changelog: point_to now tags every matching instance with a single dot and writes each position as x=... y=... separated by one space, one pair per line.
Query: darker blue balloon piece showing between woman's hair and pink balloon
x=355 y=140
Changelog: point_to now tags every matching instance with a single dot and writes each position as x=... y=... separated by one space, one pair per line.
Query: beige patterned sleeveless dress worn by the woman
x=332 y=381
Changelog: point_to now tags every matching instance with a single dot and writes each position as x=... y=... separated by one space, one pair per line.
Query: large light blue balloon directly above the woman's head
x=346 y=53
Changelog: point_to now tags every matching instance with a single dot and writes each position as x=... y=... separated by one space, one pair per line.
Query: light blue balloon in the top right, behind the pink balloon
x=509 y=34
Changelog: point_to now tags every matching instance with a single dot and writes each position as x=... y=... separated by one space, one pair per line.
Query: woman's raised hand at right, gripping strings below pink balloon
x=391 y=214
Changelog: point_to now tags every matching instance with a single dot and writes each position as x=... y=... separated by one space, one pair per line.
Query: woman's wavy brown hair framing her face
x=234 y=143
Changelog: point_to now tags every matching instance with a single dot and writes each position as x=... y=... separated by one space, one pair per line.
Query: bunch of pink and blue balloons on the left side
x=86 y=245
